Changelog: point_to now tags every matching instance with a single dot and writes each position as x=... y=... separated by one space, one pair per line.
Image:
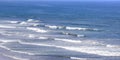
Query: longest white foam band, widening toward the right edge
x=85 y=49
